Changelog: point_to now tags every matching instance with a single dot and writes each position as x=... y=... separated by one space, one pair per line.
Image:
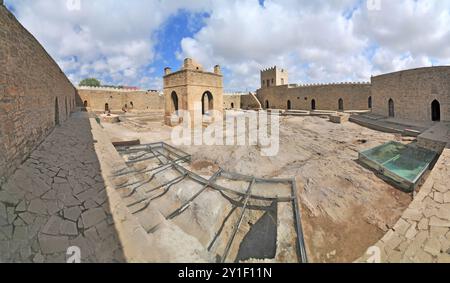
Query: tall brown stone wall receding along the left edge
x=35 y=95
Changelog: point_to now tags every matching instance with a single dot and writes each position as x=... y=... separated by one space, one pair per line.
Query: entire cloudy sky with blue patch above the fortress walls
x=130 y=42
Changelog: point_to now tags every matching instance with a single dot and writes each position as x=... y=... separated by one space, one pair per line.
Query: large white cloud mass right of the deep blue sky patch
x=321 y=41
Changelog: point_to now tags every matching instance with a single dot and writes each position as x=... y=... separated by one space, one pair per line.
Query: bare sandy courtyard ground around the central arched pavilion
x=345 y=207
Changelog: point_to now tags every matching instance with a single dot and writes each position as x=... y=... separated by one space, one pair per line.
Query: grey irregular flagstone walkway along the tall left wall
x=58 y=199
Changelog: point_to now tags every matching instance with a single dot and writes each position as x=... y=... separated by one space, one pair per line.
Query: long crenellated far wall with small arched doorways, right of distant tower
x=355 y=96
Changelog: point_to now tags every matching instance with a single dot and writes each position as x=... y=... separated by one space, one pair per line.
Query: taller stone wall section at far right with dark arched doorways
x=412 y=93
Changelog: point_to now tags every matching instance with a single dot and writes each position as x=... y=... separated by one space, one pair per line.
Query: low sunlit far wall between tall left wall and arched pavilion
x=97 y=98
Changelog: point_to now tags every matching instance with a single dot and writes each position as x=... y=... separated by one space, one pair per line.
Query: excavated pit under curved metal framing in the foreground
x=216 y=215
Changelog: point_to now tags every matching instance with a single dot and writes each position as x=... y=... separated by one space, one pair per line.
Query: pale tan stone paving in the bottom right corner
x=422 y=235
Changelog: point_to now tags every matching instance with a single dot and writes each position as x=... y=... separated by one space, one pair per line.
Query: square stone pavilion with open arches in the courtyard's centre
x=192 y=86
